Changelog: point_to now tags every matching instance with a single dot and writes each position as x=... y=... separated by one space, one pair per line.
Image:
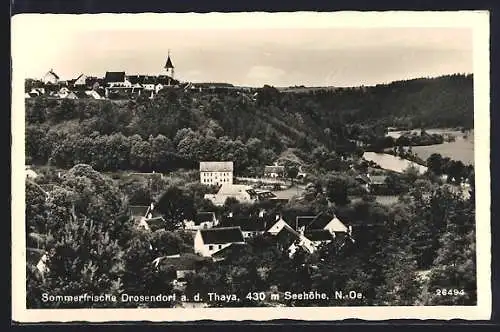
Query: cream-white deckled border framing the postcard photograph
x=23 y=30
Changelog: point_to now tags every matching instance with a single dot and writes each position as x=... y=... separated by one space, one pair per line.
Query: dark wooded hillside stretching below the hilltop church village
x=180 y=127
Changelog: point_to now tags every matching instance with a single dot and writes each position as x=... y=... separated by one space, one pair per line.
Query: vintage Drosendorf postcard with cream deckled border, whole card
x=251 y=166
